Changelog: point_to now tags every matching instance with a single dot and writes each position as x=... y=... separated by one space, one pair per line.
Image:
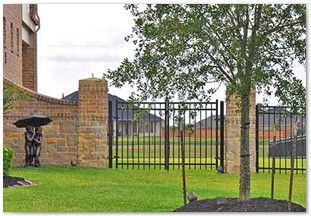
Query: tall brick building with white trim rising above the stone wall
x=20 y=26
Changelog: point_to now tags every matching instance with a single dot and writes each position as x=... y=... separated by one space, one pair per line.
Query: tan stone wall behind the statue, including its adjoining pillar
x=71 y=122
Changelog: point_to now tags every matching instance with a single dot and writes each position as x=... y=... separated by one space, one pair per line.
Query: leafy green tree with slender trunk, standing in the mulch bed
x=182 y=48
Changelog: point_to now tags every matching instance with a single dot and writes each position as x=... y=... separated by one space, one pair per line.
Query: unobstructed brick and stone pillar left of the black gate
x=93 y=122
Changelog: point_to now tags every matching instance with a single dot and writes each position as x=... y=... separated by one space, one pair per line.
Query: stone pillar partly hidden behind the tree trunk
x=233 y=135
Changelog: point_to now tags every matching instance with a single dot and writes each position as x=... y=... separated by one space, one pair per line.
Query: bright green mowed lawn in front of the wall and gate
x=80 y=189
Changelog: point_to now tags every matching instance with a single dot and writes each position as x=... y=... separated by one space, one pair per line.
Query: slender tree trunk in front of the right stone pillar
x=244 y=148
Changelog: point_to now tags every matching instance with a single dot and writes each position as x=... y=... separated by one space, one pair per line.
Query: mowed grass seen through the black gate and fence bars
x=133 y=150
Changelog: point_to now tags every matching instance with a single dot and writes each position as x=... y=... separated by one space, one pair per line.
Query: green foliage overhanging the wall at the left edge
x=11 y=94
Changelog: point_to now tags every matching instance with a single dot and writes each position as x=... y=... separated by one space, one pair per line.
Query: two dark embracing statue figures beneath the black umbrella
x=33 y=141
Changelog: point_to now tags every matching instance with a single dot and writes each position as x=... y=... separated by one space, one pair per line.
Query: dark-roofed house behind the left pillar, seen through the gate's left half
x=123 y=120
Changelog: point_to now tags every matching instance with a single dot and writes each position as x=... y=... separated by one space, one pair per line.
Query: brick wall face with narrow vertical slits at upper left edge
x=12 y=42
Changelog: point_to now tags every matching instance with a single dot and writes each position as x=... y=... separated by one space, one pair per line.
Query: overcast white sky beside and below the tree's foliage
x=78 y=40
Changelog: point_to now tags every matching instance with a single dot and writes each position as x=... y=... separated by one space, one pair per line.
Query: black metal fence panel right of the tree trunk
x=275 y=138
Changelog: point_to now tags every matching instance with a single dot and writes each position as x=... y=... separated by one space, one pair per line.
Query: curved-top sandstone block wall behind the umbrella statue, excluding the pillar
x=59 y=145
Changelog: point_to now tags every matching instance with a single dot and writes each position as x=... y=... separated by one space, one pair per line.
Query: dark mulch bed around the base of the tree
x=260 y=204
